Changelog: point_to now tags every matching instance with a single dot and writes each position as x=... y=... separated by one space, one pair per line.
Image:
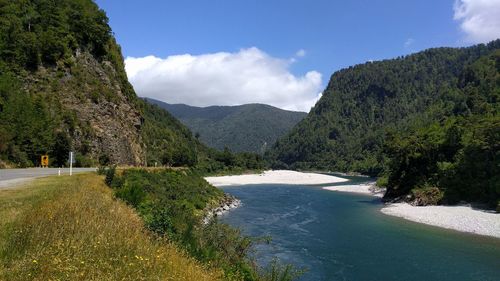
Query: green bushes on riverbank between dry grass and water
x=172 y=203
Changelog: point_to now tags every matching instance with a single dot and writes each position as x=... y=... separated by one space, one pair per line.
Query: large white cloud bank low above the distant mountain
x=247 y=76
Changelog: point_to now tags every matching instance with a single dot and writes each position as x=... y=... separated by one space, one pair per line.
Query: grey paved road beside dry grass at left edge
x=12 y=177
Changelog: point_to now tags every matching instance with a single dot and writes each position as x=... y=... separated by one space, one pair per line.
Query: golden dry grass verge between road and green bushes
x=71 y=228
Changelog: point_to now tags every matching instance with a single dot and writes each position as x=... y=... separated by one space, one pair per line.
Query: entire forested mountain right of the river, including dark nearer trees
x=427 y=120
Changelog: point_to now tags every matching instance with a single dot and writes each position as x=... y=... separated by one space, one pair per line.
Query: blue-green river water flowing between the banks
x=344 y=236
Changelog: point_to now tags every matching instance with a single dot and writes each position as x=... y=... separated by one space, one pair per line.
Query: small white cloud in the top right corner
x=479 y=19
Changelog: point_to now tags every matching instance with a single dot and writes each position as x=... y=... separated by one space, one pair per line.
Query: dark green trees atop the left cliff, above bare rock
x=43 y=32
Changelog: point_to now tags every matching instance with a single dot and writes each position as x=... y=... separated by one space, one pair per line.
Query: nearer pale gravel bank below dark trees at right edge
x=461 y=218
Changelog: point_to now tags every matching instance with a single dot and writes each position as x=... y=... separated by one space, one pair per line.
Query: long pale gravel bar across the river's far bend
x=275 y=177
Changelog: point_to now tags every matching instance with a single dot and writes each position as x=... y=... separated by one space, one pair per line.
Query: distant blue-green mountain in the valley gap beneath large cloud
x=245 y=128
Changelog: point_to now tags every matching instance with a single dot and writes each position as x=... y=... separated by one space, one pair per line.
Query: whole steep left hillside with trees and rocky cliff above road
x=63 y=87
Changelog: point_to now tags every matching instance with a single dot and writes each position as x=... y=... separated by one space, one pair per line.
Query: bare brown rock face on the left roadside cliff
x=104 y=122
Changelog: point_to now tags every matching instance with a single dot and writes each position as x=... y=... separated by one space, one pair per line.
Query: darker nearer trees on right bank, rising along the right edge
x=460 y=155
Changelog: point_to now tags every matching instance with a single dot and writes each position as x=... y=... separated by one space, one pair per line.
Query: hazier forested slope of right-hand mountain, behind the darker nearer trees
x=348 y=128
